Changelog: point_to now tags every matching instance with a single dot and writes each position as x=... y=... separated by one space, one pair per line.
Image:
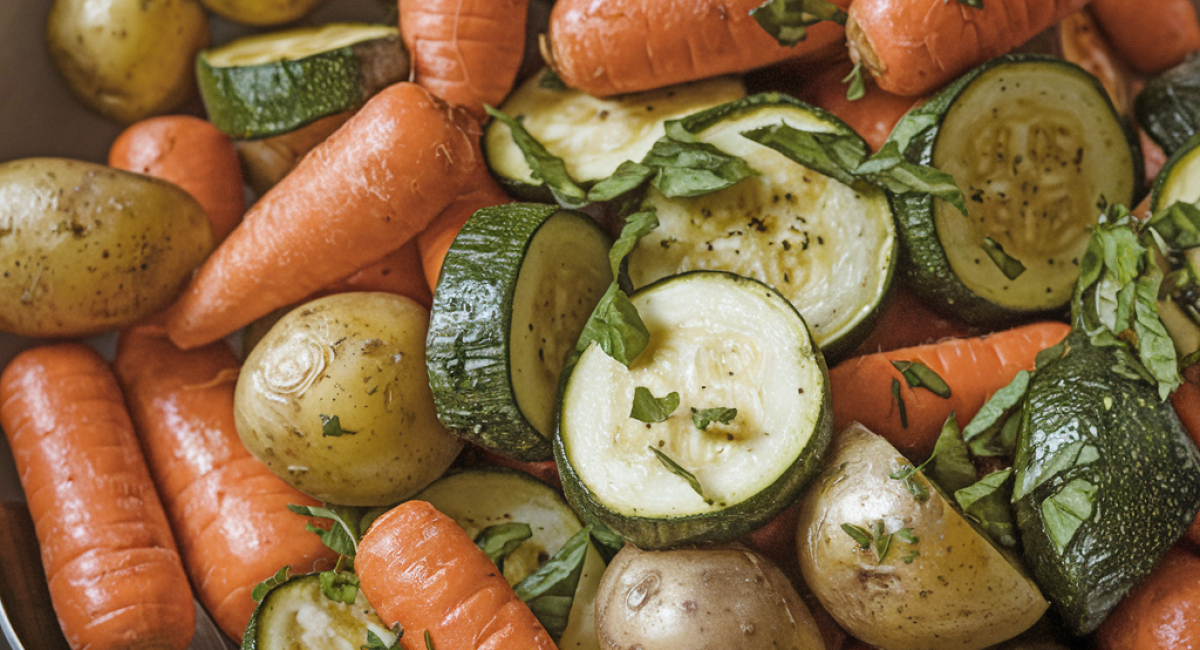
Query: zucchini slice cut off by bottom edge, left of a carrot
x=297 y=615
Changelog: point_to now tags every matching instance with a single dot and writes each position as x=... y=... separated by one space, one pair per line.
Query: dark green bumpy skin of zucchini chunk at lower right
x=1148 y=474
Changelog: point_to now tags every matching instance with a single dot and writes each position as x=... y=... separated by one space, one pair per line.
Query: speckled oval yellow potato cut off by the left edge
x=88 y=249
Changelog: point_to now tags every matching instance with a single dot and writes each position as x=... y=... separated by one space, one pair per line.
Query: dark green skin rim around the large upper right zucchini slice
x=923 y=263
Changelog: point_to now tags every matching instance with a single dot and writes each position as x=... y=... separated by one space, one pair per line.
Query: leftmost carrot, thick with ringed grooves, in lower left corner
x=115 y=575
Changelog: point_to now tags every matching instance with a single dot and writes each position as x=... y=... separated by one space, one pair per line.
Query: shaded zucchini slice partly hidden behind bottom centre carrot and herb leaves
x=483 y=498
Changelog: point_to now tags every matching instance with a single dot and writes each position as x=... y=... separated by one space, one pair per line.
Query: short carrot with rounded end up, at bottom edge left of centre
x=419 y=569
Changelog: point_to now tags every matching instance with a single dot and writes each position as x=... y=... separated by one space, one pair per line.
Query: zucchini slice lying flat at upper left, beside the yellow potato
x=274 y=83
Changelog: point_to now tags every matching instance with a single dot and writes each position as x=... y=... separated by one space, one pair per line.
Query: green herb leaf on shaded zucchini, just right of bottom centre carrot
x=550 y=591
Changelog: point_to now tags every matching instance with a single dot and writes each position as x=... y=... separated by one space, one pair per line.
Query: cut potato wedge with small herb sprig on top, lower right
x=950 y=589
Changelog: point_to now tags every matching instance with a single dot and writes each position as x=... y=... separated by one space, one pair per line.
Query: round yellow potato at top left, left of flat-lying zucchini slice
x=128 y=59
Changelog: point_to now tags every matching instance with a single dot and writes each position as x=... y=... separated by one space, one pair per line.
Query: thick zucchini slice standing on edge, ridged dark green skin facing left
x=517 y=288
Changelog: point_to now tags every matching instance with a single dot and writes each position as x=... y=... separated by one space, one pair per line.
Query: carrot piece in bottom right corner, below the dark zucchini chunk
x=1163 y=613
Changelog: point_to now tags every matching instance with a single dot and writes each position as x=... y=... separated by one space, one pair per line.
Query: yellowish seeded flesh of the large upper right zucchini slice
x=1036 y=148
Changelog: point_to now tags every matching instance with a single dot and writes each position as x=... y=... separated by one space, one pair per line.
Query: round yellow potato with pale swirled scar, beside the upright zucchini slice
x=335 y=400
